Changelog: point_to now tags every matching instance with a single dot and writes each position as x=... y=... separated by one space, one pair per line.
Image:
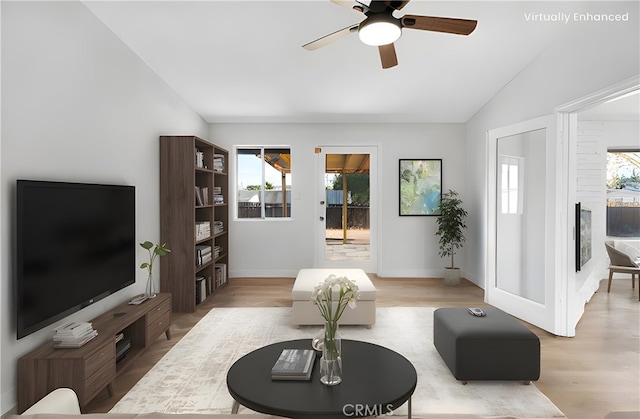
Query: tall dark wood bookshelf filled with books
x=181 y=209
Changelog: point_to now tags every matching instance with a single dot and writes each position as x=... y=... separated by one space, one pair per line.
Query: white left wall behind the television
x=77 y=105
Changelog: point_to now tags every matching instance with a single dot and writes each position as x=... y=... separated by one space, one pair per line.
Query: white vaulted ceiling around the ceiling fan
x=242 y=61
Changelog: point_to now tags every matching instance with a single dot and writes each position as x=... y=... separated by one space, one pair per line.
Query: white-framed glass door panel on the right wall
x=524 y=216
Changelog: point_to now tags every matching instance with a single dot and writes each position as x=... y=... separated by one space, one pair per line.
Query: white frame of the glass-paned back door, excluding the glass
x=370 y=266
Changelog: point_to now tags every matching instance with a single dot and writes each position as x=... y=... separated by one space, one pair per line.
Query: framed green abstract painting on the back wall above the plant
x=420 y=182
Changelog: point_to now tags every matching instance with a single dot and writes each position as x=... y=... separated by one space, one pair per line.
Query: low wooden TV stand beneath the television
x=91 y=368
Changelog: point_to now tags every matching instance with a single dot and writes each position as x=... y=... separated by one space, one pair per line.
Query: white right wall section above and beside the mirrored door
x=589 y=57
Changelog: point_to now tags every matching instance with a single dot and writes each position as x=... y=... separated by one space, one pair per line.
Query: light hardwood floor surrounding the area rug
x=588 y=376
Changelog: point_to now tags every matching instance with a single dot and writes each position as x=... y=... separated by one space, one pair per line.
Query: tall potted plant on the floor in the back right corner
x=451 y=222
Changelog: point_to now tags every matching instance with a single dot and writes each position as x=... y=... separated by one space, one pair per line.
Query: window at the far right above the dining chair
x=623 y=193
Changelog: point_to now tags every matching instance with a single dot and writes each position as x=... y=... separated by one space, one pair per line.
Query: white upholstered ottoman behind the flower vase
x=307 y=313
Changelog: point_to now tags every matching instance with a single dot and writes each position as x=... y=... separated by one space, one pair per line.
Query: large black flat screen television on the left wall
x=75 y=244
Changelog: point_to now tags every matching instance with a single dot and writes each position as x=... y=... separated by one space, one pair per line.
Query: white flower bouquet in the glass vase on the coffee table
x=323 y=296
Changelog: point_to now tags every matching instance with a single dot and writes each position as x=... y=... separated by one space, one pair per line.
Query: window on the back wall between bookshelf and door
x=264 y=182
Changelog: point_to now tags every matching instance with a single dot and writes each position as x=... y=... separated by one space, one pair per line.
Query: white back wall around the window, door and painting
x=407 y=245
